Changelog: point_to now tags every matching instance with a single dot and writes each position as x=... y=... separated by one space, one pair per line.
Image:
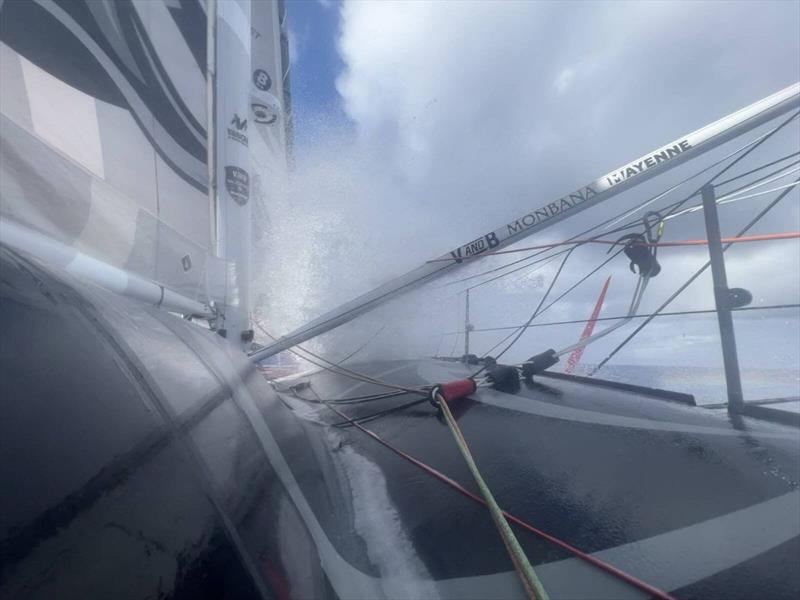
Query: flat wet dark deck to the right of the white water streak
x=612 y=472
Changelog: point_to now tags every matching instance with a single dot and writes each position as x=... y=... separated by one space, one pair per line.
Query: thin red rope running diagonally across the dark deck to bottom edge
x=604 y=566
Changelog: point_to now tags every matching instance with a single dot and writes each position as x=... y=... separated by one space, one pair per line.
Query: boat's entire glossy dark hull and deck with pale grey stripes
x=149 y=458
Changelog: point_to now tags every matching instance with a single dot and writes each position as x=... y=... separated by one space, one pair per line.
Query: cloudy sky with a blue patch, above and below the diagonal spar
x=421 y=125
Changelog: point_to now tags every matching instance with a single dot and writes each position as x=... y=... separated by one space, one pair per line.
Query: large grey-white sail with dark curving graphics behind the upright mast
x=108 y=135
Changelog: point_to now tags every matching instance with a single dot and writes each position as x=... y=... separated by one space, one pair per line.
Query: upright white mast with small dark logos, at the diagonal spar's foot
x=232 y=160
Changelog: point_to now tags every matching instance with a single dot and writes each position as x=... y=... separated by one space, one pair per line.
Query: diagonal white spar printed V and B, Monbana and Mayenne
x=623 y=178
